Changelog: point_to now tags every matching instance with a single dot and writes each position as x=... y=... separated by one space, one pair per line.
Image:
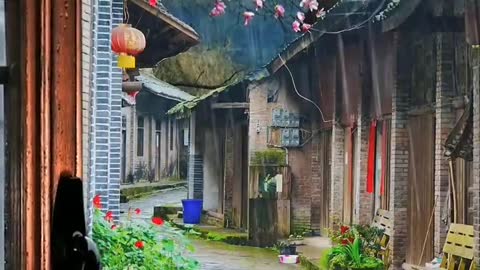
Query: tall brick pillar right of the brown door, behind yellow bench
x=445 y=118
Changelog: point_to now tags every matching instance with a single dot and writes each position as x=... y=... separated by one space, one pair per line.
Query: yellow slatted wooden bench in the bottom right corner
x=458 y=248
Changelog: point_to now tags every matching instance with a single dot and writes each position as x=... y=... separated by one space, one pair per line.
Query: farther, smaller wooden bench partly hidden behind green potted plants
x=384 y=220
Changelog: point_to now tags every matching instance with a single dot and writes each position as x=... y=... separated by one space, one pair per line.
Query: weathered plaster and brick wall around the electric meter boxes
x=299 y=159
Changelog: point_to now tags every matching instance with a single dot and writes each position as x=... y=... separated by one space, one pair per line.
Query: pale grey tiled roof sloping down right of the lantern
x=161 y=88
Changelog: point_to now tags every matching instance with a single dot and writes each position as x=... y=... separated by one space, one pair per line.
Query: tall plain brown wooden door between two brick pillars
x=420 y=189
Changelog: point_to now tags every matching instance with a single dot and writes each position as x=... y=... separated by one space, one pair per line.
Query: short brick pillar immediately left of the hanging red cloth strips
x=364 y=200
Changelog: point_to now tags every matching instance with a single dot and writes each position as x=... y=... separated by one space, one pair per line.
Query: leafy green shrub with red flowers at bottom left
x=139 y=245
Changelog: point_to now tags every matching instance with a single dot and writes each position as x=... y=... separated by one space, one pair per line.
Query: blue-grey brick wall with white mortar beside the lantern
x=106 y=116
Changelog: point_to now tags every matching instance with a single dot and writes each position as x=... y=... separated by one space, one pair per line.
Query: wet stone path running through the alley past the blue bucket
x=211 y=255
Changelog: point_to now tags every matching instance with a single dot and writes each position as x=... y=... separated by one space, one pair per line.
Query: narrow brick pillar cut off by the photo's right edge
x=476 y=149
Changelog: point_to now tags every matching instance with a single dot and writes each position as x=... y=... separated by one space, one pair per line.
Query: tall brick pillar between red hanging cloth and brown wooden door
x=399 y=159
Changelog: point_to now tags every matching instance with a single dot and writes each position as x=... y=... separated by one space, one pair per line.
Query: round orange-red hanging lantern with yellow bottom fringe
x=127 y=42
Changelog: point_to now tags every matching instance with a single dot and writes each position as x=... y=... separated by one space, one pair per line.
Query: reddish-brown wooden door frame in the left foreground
x=44 y=139
